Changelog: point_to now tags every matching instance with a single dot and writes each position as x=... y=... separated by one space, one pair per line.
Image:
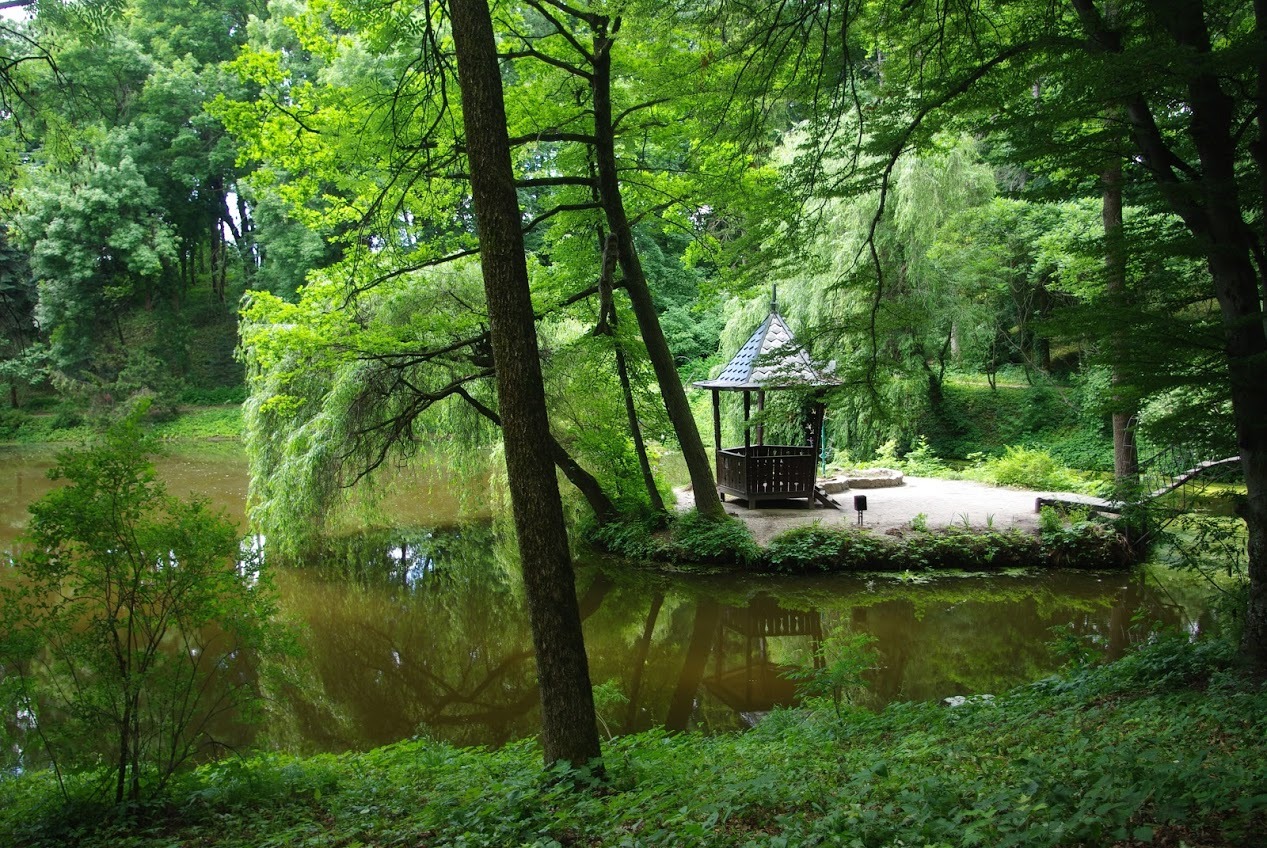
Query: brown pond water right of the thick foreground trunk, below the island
x=953 y=636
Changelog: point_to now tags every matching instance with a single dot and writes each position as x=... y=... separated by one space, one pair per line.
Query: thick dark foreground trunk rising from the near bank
x=570 y=731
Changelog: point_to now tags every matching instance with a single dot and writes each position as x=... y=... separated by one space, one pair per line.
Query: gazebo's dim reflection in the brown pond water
x=756 y=684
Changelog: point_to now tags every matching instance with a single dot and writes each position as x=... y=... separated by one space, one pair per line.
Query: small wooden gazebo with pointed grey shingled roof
x=771 y=359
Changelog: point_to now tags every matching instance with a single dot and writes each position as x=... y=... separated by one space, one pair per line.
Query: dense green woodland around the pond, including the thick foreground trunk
x=526 y=226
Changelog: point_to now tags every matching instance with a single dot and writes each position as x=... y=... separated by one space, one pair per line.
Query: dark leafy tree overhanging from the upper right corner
x=1192 y=86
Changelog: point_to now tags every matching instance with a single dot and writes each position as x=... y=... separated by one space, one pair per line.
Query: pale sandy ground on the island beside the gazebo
x=942 y=503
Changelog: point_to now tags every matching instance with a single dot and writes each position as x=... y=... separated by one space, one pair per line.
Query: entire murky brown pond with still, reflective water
x=424 y=632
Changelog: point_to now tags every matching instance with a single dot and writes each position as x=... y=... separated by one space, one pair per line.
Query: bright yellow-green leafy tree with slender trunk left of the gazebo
x=347 y=150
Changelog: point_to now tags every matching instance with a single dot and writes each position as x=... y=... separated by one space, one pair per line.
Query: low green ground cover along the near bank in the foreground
x=1166 y=747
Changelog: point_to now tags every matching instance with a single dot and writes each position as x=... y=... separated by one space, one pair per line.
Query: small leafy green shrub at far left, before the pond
x=132 y=632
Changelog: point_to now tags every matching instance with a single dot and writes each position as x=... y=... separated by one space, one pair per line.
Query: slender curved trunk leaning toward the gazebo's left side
x=708 y=501
